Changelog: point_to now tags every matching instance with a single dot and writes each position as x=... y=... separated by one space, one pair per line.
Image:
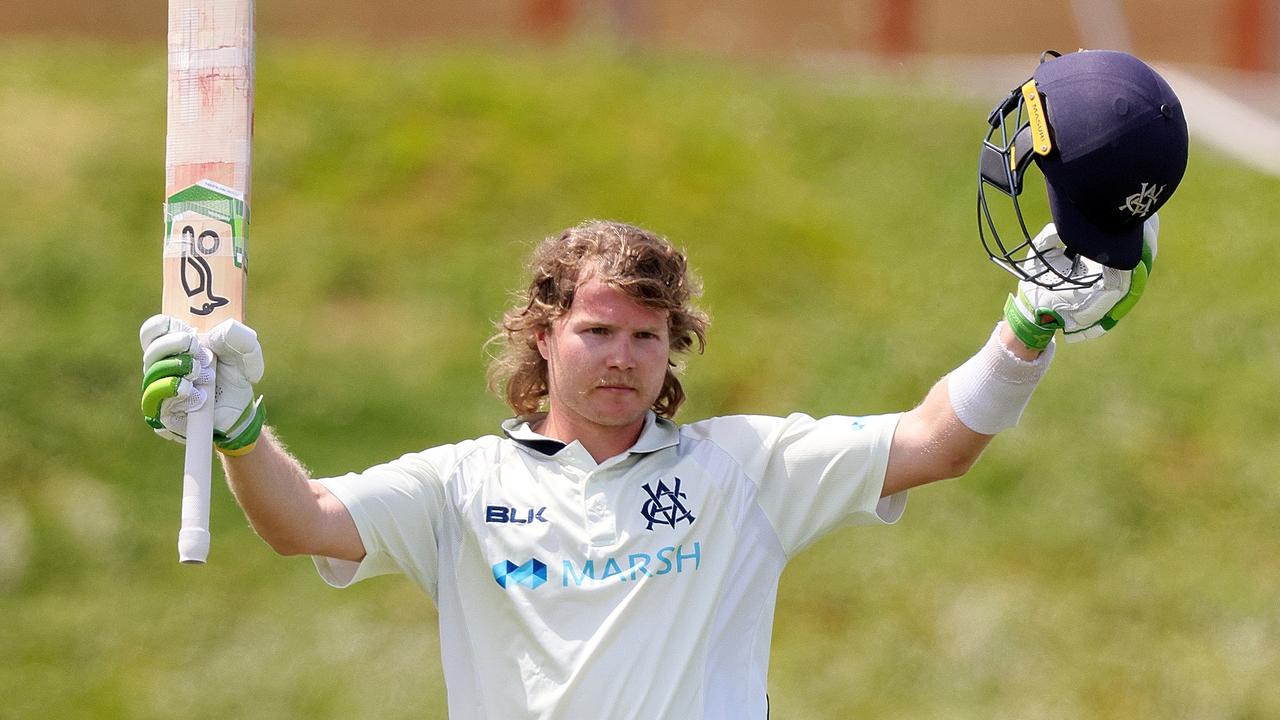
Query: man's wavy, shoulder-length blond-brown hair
x=639 y=263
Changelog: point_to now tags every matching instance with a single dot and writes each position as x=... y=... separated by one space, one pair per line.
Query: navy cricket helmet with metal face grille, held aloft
x=1110 y=140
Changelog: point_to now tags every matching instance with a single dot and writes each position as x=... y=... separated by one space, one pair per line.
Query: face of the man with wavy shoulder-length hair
x=607 y=359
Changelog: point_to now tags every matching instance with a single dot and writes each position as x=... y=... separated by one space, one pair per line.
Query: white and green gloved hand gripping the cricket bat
x=176 y=372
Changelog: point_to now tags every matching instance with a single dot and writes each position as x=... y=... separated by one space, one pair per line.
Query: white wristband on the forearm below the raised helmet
x=990 y=391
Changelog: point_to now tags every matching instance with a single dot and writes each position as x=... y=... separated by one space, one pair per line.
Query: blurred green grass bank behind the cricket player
x=1116 y=557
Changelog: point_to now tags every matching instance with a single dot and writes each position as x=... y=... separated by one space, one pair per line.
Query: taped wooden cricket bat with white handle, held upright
x=211 y=131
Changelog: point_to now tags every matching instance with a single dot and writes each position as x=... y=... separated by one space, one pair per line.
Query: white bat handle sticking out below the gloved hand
x=196 y=471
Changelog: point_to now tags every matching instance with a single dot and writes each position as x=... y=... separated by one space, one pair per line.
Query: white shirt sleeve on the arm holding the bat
x=399 y=509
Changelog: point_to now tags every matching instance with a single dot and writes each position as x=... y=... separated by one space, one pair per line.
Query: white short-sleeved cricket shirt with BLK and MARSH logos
x=642 y=587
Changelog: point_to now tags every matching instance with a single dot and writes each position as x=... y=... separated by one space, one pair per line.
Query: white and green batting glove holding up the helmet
x=1037 y=313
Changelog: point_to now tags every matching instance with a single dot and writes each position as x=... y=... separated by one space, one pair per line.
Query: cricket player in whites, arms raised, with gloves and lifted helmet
x=595 y=559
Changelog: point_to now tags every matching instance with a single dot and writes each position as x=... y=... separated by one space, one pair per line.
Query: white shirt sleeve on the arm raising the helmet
x=815 y=476
